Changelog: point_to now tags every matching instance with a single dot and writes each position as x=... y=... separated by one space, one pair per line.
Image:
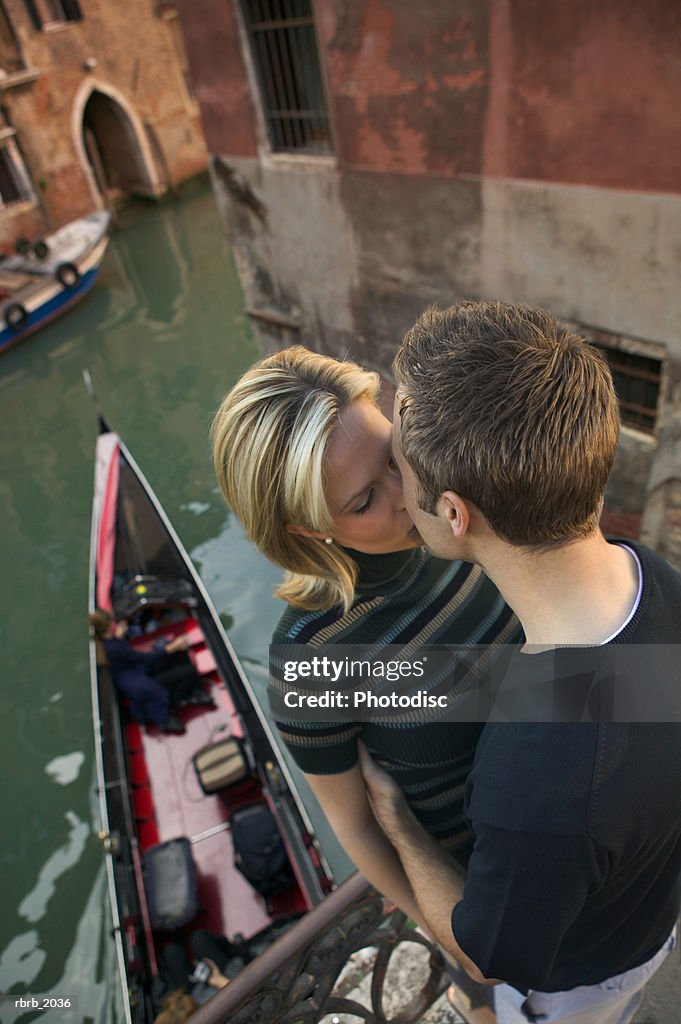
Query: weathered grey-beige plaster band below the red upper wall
x=366 y=252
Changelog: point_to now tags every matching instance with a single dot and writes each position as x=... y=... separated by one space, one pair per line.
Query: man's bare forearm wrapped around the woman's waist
x=436 y=879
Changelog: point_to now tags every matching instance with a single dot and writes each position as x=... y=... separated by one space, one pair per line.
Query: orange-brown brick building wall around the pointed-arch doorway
x=136 y=59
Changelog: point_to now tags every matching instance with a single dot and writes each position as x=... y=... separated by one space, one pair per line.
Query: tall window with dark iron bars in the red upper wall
x=284 y=48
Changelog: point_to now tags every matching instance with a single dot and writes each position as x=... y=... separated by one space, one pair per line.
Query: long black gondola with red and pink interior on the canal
x=168 y=802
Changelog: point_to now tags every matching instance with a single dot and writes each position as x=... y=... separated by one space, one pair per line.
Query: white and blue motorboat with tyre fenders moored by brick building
x=44 y=281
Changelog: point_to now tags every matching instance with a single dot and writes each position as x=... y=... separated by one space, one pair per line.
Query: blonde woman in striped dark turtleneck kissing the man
x=304 y=456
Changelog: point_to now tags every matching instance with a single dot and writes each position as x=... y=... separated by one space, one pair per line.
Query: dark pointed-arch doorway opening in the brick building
x=117 y=155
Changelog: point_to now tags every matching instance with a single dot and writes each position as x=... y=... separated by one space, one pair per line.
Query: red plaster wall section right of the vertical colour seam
x=585 y=94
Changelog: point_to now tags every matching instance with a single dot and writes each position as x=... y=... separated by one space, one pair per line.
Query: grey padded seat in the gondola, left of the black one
x=172 y=884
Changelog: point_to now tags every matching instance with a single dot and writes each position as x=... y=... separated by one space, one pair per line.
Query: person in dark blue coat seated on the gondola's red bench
x=156 y=686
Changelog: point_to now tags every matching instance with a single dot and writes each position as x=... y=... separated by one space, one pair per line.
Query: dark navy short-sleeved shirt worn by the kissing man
x=576 y=871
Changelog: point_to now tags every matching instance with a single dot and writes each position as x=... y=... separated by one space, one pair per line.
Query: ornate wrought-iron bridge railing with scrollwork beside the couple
x=301 y=977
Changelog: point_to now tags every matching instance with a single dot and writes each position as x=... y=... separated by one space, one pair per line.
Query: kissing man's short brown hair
x=503 y=405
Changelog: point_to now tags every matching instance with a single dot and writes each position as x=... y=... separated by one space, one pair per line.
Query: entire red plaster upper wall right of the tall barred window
x=565 y=93
